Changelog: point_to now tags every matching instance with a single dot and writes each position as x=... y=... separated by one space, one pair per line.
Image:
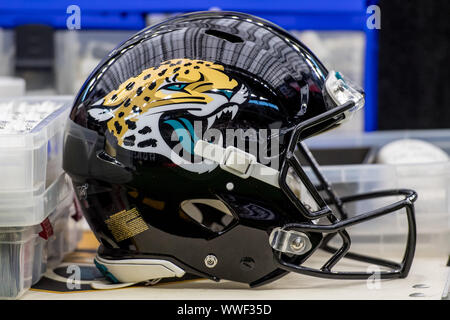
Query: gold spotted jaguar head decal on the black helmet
x=177 y=93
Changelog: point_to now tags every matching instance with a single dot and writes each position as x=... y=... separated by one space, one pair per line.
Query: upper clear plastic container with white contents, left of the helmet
x=31 y=140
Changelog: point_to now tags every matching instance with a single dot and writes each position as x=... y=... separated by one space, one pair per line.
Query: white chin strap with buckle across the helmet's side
x=237 y=162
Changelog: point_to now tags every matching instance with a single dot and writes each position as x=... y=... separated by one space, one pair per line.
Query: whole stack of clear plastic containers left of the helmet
x=36 y=196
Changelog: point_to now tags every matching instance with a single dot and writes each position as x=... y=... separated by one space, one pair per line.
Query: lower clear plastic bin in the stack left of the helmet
x=25 y=255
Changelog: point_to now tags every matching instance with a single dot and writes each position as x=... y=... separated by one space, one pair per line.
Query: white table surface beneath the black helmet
x=426 y=270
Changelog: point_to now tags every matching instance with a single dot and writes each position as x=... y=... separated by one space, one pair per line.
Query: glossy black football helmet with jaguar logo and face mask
x=185 y=146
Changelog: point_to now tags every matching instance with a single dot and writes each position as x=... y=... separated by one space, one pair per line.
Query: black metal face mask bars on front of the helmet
x=337 y=226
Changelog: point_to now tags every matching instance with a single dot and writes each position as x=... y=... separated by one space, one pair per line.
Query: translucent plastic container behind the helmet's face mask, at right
x=430 y=180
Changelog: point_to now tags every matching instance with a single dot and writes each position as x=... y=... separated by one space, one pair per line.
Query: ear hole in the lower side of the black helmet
x=212 y=214
